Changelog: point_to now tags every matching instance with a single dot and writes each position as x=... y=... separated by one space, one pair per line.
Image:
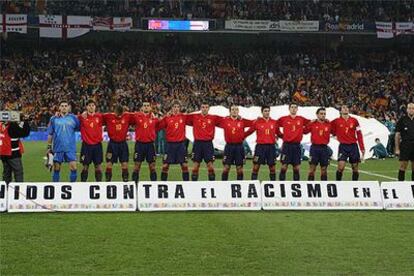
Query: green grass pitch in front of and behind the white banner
x=208 y=243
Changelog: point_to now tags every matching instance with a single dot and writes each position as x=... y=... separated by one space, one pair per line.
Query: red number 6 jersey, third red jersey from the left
x=145 y=127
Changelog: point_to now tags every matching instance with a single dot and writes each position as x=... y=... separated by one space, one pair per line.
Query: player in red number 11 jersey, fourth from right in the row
x=266 y=135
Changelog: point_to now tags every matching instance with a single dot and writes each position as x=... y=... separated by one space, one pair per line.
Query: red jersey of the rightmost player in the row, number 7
x=348 y=131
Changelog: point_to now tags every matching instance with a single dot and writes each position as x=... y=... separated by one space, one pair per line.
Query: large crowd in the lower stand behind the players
x=374 y=84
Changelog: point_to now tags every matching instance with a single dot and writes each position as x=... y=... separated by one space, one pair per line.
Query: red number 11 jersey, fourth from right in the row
x=266 y=131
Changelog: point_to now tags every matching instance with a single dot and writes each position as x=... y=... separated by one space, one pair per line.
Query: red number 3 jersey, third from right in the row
x=292 y=128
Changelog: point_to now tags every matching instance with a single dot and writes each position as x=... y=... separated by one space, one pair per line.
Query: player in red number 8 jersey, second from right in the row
x=319 y=153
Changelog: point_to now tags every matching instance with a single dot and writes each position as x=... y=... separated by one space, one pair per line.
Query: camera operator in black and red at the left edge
x=11 y=149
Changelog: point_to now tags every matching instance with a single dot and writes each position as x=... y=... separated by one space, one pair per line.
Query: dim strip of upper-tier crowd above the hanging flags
x=402 y=10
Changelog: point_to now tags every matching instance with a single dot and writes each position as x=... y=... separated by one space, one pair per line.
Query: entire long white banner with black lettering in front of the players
x=204 y=195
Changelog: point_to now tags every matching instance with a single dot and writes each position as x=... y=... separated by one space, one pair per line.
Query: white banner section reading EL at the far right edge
x=398 y=195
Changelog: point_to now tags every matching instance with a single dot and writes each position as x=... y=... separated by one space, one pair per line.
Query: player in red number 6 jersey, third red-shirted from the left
x=146 y=126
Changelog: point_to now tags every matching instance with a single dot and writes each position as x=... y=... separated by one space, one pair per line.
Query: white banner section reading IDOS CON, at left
x=88 y=196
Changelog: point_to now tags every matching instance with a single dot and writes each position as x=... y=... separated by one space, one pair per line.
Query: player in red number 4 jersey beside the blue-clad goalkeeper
x=91 y=124
